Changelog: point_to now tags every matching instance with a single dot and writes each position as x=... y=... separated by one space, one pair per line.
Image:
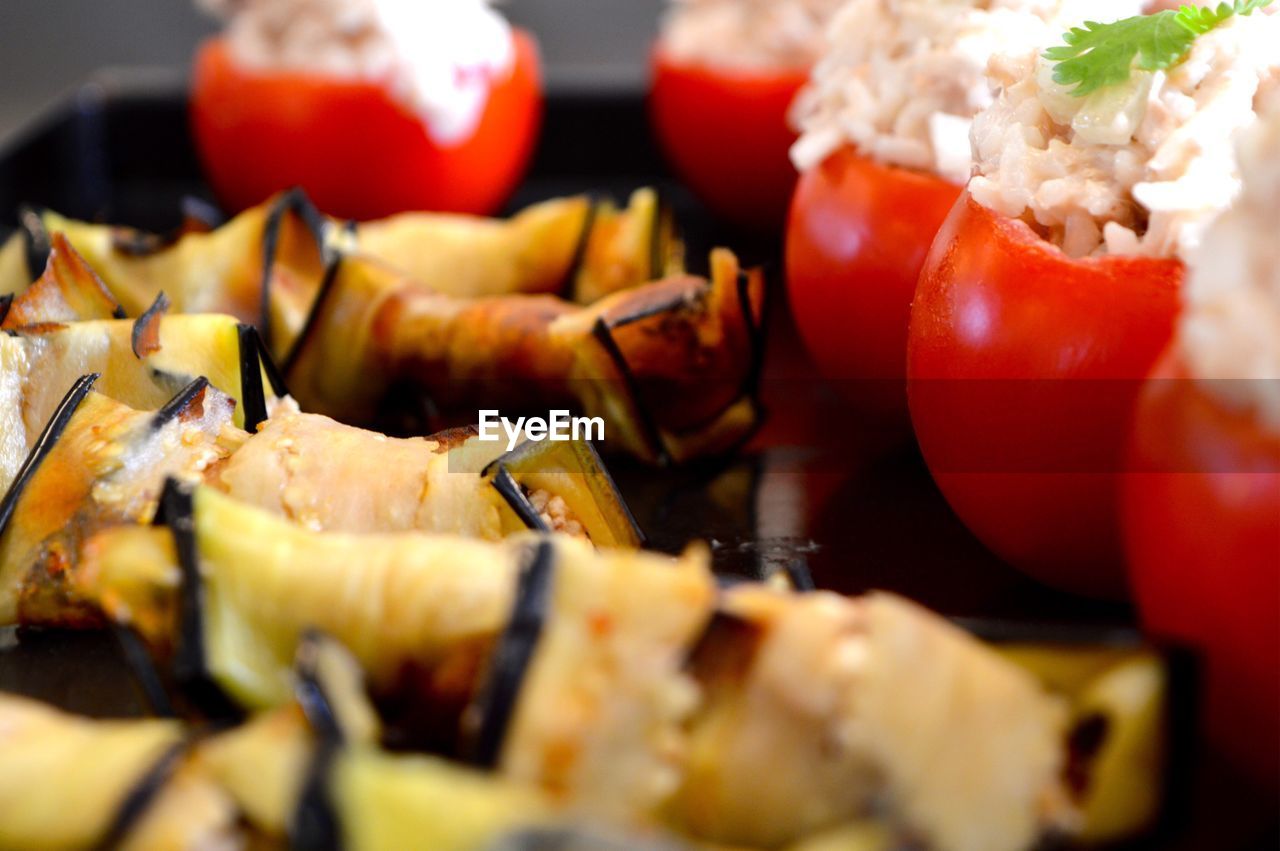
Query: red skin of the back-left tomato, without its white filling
x=359 y=153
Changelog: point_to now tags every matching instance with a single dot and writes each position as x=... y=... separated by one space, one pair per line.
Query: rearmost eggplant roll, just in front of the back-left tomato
x=267 y=266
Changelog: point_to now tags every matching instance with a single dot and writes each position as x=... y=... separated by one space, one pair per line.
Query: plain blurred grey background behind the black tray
x=49 y=45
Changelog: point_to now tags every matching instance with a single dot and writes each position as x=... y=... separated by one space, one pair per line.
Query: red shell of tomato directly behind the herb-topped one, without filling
x=857 y=239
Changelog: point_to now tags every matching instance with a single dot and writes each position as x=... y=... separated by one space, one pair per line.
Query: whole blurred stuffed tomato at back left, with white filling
x=373 y=108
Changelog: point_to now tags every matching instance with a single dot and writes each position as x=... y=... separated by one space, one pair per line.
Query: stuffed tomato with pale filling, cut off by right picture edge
x=1201 y=495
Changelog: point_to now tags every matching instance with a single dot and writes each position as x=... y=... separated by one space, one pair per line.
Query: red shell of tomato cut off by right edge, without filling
x=1203 y=533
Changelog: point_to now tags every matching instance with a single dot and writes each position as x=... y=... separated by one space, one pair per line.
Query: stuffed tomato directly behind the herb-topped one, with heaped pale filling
x=883 y=158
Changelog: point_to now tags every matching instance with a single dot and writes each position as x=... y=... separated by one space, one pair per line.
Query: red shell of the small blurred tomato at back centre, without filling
x=726 y=132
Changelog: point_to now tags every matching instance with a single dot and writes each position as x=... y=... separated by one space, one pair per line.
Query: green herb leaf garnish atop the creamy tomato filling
x=1105 y=54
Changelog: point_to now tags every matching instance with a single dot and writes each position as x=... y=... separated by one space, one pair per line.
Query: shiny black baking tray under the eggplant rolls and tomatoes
x=120 y=150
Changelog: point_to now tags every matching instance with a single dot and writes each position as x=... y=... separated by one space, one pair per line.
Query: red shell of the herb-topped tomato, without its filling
x=1023 y=369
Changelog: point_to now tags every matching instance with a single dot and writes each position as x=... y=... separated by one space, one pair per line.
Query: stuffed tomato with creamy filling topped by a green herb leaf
x=1055 y=286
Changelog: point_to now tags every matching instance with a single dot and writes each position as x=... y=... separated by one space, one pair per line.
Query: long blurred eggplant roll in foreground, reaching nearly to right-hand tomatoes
x=627 y=688
